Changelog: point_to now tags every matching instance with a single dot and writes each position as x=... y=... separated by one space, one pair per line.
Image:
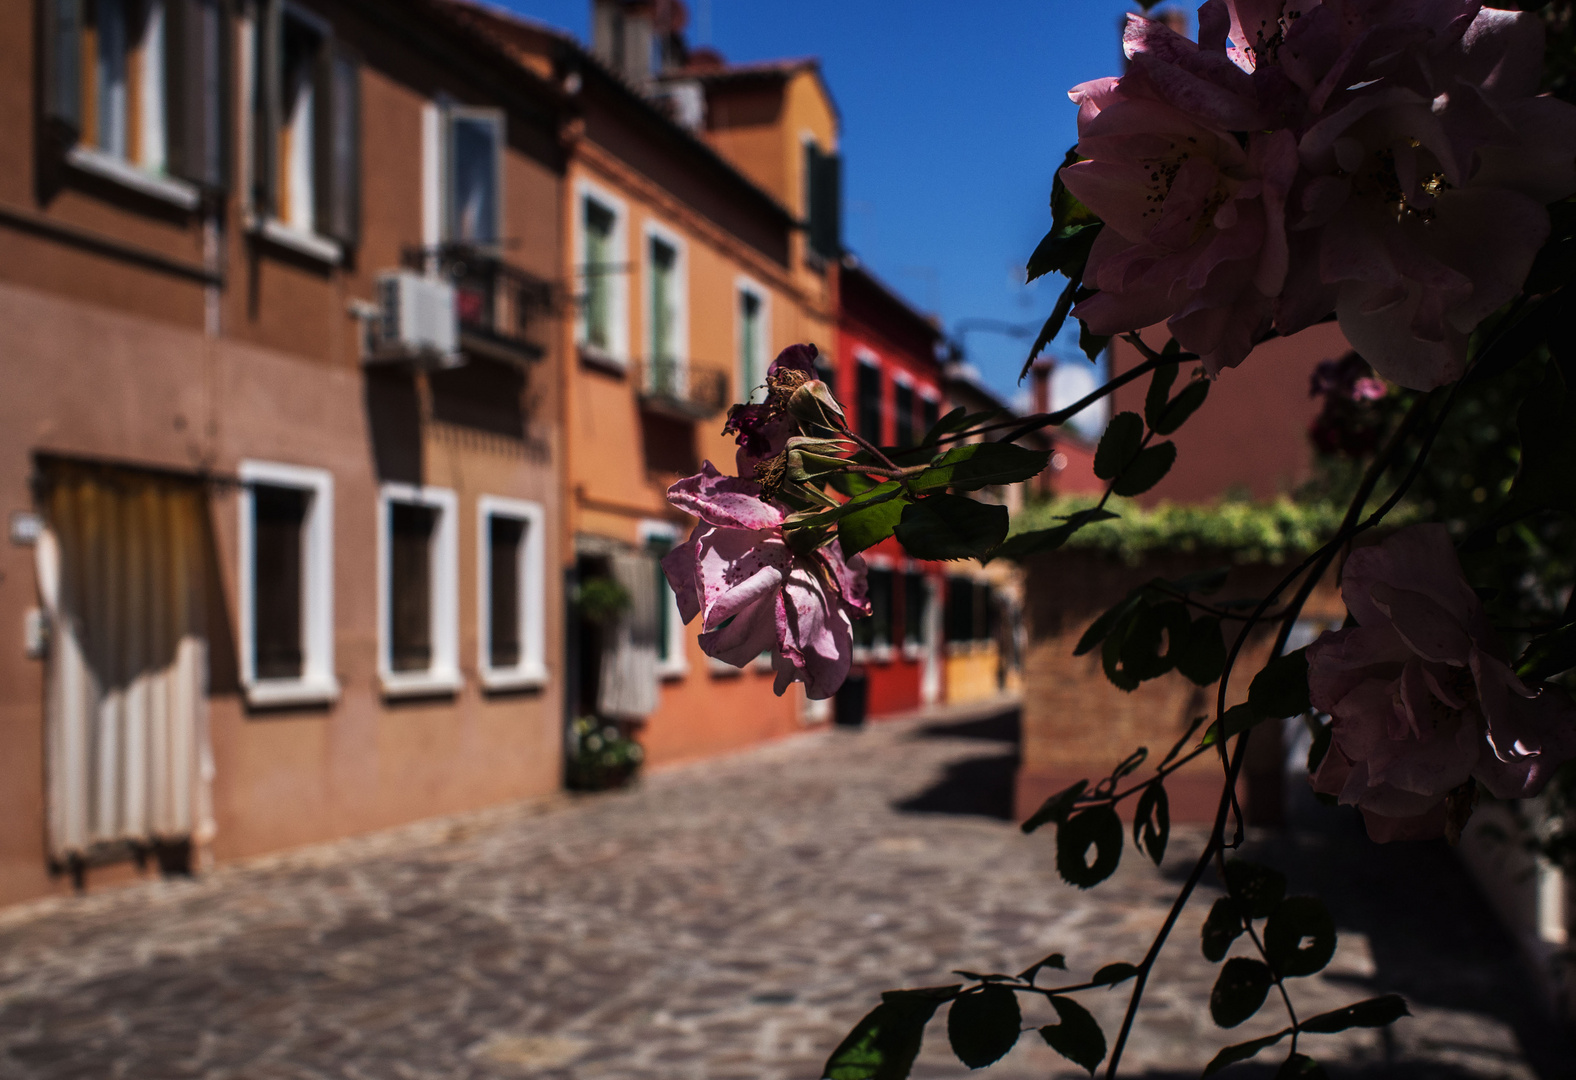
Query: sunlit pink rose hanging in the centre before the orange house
x=756 y=594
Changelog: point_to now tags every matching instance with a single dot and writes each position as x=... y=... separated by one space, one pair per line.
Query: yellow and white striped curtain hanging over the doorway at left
x=122 y=572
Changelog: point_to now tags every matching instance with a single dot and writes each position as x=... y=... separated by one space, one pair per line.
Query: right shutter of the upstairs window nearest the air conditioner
x=336 y=154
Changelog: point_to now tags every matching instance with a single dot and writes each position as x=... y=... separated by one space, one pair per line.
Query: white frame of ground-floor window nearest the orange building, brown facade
x=532 y=669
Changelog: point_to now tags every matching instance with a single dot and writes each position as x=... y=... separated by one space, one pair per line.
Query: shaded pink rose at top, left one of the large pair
x=1194 y=217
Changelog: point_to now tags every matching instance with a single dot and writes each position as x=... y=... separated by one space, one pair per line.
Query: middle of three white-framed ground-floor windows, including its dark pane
x=418 y=576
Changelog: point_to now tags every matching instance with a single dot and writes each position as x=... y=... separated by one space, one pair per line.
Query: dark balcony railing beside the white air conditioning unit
x=505 y=313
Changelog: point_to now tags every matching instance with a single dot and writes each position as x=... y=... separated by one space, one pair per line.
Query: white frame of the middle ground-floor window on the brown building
x=444 y=676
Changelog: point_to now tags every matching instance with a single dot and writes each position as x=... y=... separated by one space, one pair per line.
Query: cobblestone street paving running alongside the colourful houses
x=726 y=920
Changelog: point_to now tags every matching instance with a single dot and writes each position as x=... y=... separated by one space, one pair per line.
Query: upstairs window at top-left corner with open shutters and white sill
x=136 y=86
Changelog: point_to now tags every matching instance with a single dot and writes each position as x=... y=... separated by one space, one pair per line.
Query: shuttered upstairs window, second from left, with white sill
x=307 y=133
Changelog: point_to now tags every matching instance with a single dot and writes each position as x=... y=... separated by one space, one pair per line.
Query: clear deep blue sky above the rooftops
x=956 y=117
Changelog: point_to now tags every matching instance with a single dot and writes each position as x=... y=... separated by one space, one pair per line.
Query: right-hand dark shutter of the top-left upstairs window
x=196 y=76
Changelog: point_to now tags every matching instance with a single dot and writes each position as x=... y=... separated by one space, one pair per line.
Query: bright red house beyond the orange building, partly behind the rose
x=888 y=374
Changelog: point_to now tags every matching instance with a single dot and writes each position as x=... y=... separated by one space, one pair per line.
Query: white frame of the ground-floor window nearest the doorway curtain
x=318 y=683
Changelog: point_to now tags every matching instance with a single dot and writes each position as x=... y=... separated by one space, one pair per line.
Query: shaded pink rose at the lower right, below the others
x=1421 y=696
